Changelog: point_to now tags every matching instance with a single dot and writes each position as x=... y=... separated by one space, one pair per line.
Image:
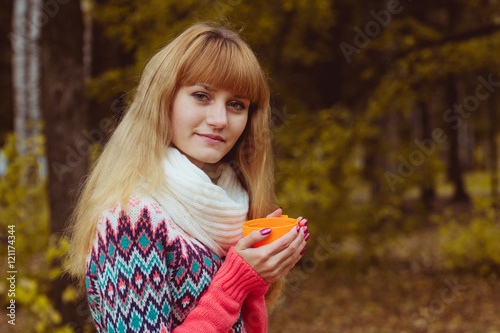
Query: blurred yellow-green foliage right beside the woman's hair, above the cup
x=320 y=175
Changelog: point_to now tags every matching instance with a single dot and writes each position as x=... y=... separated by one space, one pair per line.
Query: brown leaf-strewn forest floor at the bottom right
x=385 y=299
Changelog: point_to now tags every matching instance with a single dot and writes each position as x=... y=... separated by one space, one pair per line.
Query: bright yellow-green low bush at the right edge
x=473 y=244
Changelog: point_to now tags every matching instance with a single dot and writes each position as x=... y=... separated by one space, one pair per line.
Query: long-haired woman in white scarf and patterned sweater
x=157 y=230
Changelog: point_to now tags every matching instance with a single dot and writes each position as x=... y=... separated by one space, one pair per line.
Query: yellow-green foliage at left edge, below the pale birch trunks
x=23 y=203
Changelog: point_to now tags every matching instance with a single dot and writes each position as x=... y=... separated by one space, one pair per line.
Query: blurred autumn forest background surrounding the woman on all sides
x=385 y=120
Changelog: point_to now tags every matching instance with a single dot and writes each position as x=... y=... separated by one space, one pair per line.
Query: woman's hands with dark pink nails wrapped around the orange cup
x=273 y=261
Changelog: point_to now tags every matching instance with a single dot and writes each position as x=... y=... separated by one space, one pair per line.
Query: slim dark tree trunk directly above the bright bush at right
x=455 y=170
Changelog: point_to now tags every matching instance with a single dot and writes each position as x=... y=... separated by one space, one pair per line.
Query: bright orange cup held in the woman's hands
x=279 y=225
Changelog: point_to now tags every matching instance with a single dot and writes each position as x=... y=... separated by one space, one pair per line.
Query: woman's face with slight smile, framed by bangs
x=207 y=122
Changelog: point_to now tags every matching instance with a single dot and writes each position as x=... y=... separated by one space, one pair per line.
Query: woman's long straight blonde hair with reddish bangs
x=203 y=53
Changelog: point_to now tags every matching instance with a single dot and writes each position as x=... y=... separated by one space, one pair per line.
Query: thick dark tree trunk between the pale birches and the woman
x=65 y=117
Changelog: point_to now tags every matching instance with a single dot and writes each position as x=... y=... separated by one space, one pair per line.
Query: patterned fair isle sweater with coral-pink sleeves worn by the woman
x=145 y=274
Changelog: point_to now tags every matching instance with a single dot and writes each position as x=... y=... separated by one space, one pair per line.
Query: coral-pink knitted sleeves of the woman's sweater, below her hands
x=235 y=284
